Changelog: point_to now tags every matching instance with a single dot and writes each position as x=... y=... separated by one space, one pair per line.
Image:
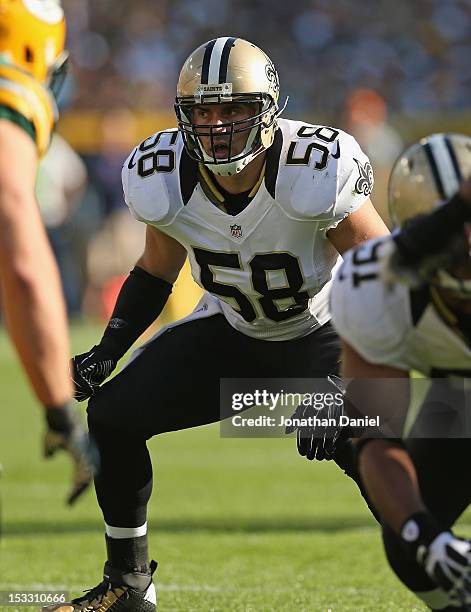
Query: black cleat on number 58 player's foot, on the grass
x=119 y=592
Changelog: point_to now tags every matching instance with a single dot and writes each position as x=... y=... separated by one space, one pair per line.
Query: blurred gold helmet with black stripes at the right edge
x=425 y=176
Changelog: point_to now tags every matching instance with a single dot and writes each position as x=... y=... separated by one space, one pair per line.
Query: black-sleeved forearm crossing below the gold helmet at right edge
x=430 y=234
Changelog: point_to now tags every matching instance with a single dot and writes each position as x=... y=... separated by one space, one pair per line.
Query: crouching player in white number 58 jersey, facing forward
x=262 y=206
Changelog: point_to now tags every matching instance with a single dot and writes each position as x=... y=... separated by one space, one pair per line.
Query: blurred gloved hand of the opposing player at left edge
x=66 y=432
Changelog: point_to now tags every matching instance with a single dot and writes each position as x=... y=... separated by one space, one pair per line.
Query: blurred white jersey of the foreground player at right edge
x=394 y=326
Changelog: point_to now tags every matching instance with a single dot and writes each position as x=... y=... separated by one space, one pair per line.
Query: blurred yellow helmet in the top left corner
x=32 y=34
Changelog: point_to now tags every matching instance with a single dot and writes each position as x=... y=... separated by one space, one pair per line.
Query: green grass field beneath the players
x=235 y=524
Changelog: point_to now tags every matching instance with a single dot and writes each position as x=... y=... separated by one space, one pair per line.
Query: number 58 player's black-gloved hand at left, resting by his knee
x=89 y=370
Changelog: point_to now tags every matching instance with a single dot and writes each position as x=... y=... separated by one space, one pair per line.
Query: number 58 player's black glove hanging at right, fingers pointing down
x=320 y=441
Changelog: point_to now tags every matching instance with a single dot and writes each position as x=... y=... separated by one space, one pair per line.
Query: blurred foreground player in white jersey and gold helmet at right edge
x=423 y=323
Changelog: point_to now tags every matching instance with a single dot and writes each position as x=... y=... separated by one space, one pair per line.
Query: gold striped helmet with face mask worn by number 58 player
x=228 y=70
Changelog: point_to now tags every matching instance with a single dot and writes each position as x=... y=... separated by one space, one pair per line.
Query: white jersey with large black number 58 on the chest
x=270 y=266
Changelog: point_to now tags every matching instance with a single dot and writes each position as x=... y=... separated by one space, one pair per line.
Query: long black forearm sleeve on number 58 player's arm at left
x=140 y=301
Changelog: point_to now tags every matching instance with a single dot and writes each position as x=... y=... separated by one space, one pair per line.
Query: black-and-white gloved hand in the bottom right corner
x=447 y=560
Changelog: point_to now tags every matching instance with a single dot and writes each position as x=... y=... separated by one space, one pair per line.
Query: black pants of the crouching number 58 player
x=173 y=384
